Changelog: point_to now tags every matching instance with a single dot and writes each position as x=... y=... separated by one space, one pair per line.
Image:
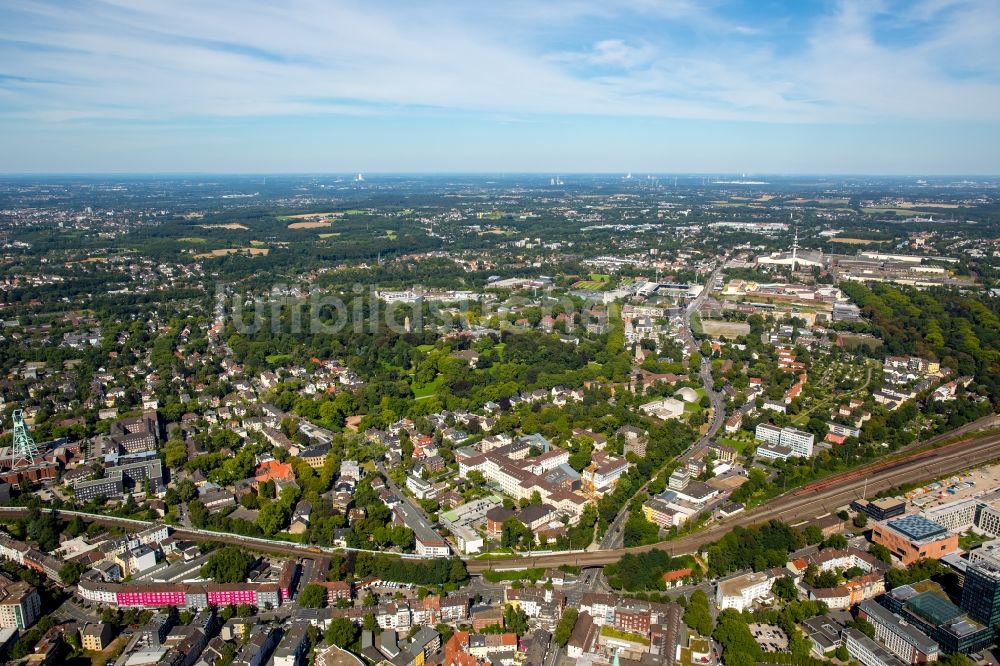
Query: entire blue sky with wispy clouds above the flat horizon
x=850 y=86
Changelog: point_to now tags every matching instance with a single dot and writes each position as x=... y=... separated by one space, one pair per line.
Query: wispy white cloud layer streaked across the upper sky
x=165 y=61
